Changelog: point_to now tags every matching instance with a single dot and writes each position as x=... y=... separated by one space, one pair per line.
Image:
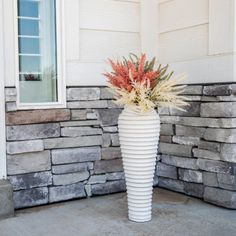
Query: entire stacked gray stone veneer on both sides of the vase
x=59 y=154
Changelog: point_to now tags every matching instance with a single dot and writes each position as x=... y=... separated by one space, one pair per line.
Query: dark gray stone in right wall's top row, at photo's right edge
x=219 y=90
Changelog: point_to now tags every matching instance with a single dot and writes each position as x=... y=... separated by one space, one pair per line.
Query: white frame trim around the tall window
x=60 y=62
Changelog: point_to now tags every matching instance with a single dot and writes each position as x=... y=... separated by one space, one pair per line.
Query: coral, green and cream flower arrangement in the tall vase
x=137 y=84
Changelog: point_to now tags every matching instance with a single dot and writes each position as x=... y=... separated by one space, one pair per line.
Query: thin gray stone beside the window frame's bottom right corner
x=87 y=104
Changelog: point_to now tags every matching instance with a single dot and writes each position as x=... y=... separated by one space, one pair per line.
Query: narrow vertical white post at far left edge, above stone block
x=3 y=168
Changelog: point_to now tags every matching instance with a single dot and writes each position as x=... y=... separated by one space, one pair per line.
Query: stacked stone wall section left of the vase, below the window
x=60 y=154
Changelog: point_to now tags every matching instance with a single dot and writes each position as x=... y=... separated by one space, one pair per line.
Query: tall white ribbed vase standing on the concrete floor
x=139 y=136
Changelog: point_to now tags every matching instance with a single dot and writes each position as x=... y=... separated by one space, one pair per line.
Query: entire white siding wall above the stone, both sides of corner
x=193 y=36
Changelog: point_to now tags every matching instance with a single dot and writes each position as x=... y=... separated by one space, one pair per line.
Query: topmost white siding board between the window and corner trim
x=109 y=15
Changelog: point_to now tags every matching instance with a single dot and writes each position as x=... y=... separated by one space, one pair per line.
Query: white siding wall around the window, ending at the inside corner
x=93 y=31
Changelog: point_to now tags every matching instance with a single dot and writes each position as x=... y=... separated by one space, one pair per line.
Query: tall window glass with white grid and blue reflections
x=37 y=52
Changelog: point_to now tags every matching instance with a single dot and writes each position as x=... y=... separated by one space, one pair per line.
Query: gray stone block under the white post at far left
x=6 y=199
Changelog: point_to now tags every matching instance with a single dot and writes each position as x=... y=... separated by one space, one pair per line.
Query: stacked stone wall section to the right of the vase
x=198 y=148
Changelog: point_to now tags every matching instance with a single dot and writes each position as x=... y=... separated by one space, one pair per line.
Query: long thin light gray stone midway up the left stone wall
x=73 y=142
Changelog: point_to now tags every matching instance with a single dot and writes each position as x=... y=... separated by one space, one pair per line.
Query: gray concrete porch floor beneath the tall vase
x=173 y=214
